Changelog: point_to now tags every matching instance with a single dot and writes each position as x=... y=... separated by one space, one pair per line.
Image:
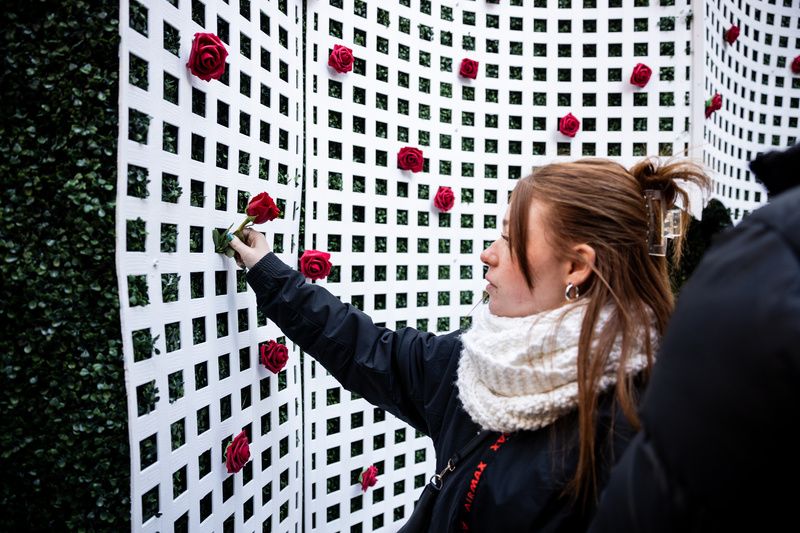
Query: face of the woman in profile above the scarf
x=509 y=295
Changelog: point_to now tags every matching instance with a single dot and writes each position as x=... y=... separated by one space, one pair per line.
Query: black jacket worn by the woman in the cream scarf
x=412 y=375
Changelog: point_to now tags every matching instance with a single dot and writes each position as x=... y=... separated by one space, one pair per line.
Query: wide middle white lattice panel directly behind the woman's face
x=397 y=257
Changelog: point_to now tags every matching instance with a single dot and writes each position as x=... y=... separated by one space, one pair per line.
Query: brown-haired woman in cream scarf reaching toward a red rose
x=551 y=368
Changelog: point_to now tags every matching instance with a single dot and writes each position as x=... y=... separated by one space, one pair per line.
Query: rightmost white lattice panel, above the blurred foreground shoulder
x=761 y=96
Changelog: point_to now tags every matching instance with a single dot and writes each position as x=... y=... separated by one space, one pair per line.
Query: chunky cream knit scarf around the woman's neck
x=521 y=373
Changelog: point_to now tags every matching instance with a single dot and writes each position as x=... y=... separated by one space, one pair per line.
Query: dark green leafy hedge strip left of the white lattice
x=63 y=435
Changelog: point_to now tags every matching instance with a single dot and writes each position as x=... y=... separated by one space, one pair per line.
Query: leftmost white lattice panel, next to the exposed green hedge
x=185 y=171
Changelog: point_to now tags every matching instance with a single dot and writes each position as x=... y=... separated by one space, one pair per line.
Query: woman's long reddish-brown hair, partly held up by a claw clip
x=601 y=203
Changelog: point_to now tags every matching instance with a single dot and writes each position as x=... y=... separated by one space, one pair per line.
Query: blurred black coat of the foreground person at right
x=718 y=450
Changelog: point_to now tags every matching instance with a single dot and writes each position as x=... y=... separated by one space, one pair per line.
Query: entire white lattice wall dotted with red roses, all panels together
x=207 y=145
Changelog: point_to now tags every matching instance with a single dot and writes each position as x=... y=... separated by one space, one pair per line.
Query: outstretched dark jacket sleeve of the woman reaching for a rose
x=405 y=372
